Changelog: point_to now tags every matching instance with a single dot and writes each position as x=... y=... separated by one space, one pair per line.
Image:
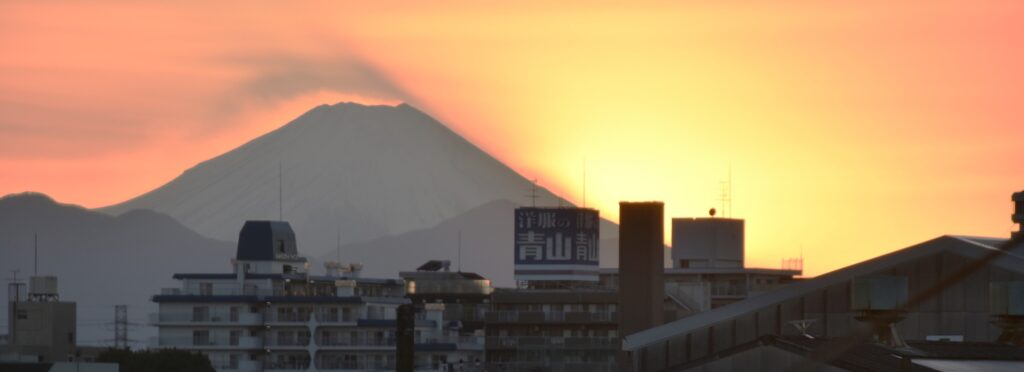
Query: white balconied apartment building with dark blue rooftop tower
x=272 y=314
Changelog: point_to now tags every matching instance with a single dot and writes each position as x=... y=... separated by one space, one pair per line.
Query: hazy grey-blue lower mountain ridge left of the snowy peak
x=102 y=261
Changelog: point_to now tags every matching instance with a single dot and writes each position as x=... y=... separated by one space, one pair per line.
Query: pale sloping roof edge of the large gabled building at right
x=970 y=247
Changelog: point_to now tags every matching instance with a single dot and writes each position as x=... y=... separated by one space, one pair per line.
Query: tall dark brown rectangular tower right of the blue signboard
x=642 y=268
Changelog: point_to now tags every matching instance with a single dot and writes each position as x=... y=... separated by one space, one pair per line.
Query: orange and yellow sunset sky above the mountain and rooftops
x=851 y=129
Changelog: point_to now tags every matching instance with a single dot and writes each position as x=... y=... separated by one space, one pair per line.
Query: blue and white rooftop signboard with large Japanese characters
x=557 y=244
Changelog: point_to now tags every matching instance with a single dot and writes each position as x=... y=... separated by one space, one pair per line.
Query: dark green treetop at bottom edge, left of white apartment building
x=165 y=360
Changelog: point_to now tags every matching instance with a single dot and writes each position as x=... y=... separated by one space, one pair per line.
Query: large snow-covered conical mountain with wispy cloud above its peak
x=359 y=172
